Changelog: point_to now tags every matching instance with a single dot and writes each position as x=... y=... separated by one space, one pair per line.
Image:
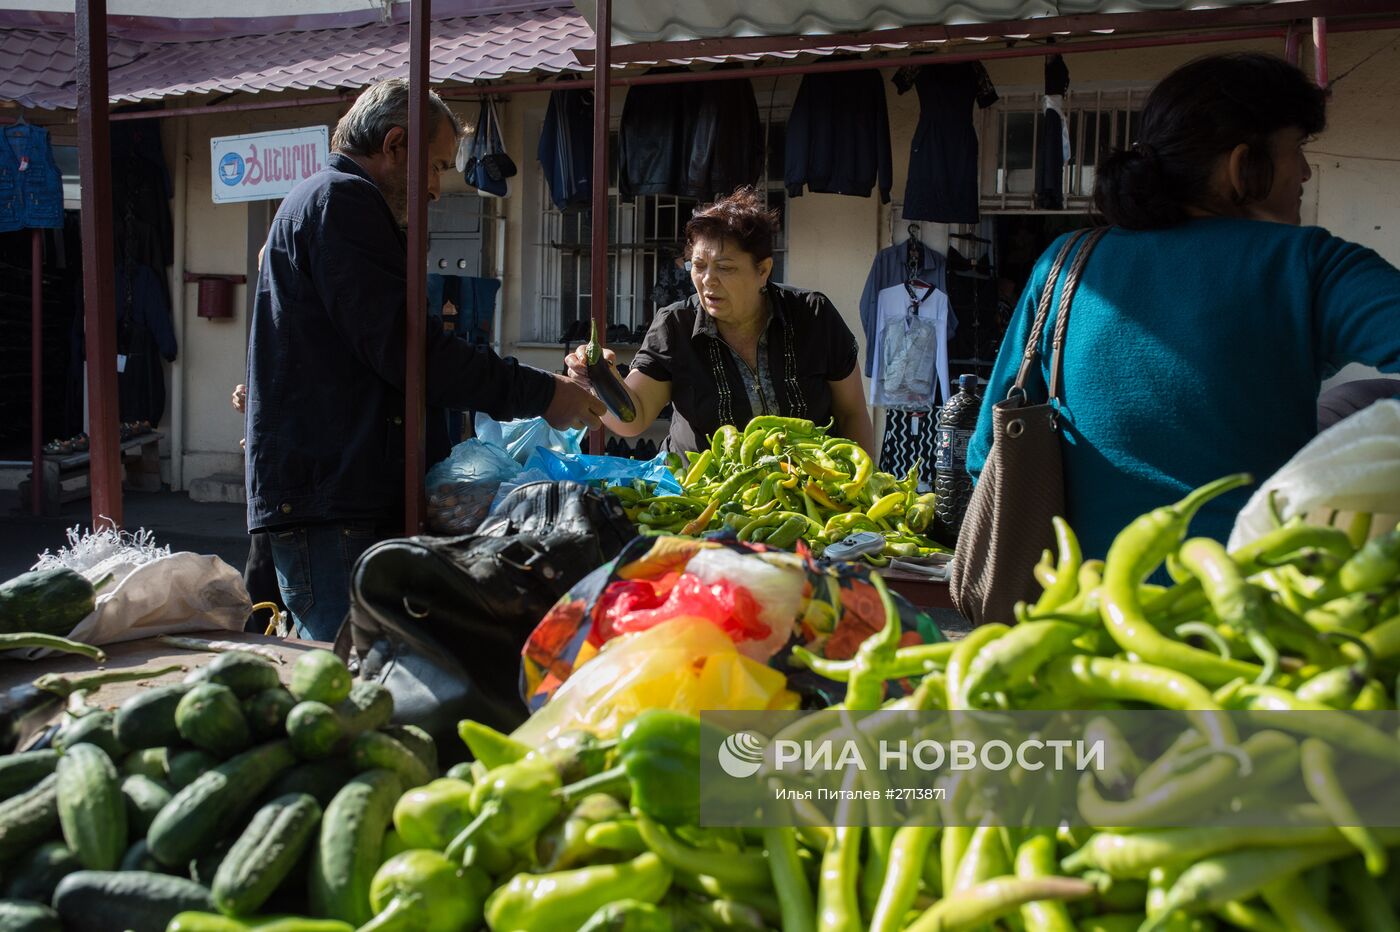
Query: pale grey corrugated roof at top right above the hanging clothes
x=650 y=22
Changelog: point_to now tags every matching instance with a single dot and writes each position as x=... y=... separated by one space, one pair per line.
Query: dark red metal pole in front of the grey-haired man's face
x=415 y=386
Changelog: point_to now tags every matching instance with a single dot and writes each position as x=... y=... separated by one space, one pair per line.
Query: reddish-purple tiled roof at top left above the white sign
x=37 y=68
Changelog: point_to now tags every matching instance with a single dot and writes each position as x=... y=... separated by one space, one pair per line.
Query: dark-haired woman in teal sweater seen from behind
x=1207 y=318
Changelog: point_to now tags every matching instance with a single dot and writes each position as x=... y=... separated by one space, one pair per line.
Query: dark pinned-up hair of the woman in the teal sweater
x=1198 y=114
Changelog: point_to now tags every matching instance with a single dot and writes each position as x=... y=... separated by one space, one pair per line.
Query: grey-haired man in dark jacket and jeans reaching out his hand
x=327 y=360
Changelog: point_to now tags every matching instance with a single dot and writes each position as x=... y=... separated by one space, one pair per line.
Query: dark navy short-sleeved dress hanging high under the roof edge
x=943 y=156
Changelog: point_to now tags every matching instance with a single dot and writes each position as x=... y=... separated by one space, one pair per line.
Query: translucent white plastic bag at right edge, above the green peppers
x=1353 y=467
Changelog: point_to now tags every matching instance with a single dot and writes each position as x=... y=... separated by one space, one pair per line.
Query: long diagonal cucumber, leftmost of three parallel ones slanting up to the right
x=205 y=811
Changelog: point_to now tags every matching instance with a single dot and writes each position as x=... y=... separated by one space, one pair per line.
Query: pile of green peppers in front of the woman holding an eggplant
x=783 y=481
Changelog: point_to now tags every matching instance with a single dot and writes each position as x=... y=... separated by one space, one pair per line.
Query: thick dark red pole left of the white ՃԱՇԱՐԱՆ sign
x=99 y=304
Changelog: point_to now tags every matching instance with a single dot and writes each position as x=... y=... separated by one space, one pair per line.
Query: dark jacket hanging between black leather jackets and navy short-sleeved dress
x=838 y=136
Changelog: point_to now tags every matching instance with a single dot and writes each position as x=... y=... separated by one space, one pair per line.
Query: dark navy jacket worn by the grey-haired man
x=327 y=360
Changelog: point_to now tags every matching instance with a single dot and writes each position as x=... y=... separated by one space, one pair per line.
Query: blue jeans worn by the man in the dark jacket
x=314 y=566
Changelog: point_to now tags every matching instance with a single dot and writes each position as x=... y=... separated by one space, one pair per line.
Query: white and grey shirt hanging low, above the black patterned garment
x=911 y=346
